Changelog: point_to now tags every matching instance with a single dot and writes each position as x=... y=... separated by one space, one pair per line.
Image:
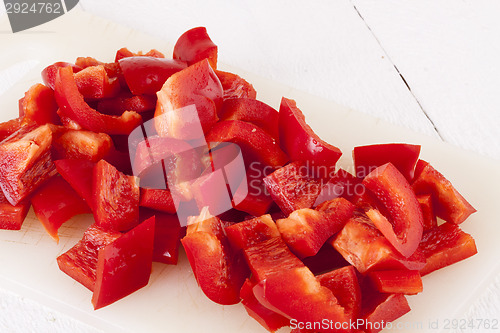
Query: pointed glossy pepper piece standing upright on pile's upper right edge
x=299 y=141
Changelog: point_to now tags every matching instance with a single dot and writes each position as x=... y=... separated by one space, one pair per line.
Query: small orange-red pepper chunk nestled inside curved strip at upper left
x=93 y=83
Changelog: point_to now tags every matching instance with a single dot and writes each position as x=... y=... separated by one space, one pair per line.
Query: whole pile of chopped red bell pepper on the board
x=305 y=243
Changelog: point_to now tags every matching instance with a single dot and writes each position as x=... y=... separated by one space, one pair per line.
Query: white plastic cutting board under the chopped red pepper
x=172 y=302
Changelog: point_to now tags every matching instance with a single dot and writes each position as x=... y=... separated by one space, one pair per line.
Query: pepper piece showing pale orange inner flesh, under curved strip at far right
x=364 y=247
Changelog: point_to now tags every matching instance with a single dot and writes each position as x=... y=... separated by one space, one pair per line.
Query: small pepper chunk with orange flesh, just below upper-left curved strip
x=80 y=144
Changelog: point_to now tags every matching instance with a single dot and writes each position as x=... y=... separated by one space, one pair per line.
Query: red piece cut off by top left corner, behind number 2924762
x=26 y=14
